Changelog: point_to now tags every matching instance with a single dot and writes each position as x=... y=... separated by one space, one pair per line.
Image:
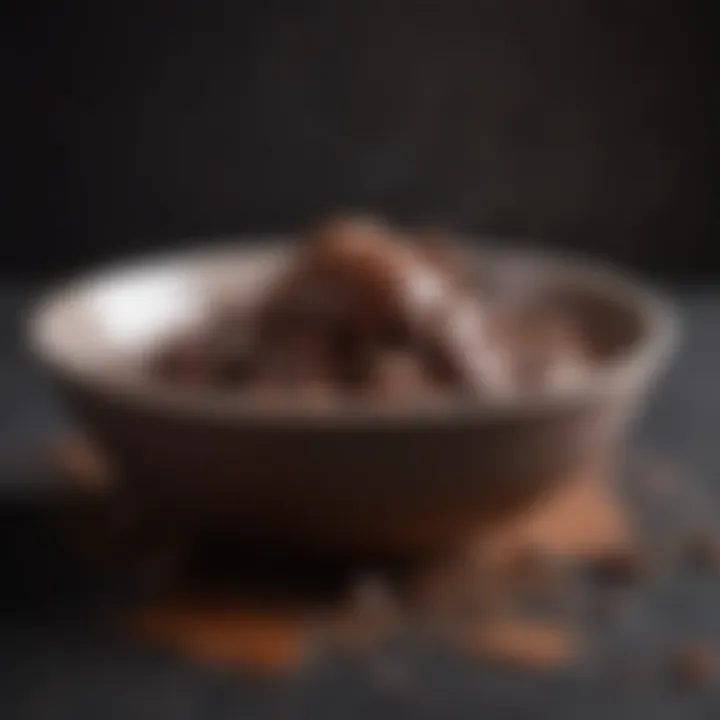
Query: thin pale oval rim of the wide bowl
x=647 y=355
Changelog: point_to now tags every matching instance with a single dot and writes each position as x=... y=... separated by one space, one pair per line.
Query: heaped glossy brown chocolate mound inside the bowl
x=357 y=292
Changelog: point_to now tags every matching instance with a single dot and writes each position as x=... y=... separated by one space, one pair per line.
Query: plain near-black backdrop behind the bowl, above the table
x=584 y=124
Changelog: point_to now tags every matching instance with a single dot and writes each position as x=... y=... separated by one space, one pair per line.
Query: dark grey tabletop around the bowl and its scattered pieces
x=53 y=667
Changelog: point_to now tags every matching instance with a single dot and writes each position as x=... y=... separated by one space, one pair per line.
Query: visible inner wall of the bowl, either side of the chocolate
x=104 y=326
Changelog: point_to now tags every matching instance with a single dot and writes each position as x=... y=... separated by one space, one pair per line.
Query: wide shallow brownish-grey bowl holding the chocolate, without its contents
x=413 y=476
